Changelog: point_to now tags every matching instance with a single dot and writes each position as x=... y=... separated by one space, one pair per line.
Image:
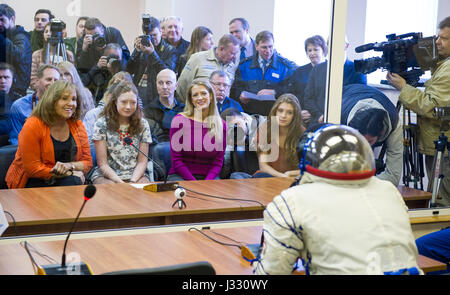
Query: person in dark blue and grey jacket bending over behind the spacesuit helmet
x=374 y=115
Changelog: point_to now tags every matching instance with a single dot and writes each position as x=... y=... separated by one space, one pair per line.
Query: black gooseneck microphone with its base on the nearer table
x=77 y=267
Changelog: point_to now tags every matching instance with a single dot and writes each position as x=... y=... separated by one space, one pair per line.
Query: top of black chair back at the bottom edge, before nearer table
x=194 y=268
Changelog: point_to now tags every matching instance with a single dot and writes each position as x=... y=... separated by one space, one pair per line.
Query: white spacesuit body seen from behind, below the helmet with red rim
x=355 y=227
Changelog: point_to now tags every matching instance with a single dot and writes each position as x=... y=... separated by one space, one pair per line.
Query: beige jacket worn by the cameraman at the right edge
x=436 y=94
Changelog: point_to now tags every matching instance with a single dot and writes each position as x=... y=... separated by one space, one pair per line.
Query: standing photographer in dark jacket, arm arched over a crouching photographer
x=91 y=45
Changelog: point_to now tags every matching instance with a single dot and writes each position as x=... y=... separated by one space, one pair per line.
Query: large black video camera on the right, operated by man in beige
x=408 y=55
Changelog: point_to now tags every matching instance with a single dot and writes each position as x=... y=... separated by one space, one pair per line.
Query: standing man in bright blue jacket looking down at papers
x=262 y=74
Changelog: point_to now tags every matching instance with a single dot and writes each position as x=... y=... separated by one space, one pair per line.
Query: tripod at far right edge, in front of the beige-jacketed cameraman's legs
x=440 y=146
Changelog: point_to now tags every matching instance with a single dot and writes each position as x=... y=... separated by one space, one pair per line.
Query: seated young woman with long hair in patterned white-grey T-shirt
x=121 y=118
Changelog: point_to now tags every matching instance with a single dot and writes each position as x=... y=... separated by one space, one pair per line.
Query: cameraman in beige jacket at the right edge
x=436 y=94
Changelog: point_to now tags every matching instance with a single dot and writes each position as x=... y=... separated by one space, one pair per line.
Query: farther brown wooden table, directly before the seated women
x=53 y=210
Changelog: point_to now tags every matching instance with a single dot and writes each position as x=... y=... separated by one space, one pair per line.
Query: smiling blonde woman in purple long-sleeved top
x=197 y=137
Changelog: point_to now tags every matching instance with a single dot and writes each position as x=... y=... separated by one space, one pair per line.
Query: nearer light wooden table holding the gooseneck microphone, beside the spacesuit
x=107 y=254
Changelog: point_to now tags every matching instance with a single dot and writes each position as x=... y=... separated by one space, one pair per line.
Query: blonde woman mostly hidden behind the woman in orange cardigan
x=70 y=74
